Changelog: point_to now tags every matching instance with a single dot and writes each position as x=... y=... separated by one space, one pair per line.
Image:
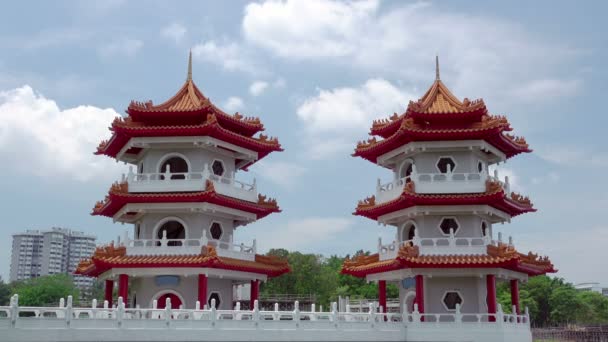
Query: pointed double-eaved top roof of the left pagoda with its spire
x=187 y=113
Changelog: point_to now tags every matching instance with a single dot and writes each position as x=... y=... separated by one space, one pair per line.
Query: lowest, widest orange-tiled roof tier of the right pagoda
x=500 y=255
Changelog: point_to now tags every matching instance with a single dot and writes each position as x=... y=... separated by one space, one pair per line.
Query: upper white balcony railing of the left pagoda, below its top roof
x=191 y=181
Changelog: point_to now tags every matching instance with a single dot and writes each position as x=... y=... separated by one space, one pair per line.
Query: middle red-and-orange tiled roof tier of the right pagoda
x=513 y=204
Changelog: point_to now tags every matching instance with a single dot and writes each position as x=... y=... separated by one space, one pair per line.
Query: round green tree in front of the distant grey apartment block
x=45 y=290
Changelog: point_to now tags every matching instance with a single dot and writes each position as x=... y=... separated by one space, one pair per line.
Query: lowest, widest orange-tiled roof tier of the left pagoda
x=108 y=257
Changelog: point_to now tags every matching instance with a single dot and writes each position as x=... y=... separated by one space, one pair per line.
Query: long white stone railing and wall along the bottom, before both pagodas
x=69 y=323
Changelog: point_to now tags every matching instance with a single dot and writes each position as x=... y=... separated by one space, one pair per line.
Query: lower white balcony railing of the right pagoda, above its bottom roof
x=449 y=245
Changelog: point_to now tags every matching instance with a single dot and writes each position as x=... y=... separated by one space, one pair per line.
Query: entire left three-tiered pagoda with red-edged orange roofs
x=185 y=204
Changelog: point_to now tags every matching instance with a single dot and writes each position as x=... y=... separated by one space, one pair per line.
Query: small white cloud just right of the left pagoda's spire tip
x=229 y=55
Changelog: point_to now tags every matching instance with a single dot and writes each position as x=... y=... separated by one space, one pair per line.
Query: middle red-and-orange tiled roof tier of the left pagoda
x=119 y=195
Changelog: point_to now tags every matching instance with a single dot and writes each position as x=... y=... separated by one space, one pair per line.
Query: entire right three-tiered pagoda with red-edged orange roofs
x=444 y=203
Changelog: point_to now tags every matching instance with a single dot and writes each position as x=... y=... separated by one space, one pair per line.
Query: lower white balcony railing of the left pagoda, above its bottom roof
x=166 y=246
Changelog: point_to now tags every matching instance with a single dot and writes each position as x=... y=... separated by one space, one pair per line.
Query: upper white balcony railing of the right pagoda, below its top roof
x=438 y=183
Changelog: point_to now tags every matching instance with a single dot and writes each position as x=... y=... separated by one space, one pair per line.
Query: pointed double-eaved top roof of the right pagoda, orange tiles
x=437 y=116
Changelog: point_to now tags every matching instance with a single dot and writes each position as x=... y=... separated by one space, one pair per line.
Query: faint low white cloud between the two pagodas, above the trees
x=311 y=232
